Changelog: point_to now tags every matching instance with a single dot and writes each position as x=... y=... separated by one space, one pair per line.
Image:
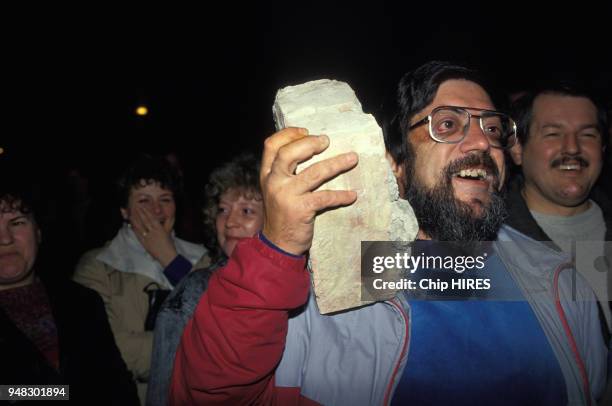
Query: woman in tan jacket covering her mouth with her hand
x=134 y=272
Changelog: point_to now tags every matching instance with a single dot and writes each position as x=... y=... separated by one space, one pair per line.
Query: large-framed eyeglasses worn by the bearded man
x=450 y=124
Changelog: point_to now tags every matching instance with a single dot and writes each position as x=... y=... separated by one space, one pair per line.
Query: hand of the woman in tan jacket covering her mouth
x=154 y=237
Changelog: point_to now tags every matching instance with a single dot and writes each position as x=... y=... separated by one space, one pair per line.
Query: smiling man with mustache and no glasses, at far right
x=563 y=132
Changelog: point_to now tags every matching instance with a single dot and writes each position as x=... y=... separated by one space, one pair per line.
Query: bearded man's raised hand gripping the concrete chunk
x=290 y=200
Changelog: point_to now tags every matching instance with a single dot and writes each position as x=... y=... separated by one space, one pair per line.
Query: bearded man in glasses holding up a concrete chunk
x=257 y=337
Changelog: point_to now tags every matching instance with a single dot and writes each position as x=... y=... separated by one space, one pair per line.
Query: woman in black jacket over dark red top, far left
x=53 y=331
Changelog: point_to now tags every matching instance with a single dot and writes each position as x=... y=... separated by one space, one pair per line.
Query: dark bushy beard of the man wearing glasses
x=443 y=217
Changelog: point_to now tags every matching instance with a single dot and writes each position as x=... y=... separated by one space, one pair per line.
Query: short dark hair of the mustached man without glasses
x=522 y=108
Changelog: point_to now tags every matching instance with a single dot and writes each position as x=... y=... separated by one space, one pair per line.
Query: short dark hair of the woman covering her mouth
x=148 y=170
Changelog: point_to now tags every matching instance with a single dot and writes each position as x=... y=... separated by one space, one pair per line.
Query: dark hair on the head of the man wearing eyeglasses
x=415 y=91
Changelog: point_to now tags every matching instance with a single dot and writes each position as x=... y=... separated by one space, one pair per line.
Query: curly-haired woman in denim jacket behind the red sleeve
x=233 y=211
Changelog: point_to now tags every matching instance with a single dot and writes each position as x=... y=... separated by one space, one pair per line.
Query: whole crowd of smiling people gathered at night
x=155 y=319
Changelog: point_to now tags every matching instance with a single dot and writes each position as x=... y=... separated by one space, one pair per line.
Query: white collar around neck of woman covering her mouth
x=126 y=254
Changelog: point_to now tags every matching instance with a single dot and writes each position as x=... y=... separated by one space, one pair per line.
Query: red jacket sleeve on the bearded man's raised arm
x=232 y=345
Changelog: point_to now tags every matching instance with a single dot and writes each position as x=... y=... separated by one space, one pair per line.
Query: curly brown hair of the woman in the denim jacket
x=242 y=172
